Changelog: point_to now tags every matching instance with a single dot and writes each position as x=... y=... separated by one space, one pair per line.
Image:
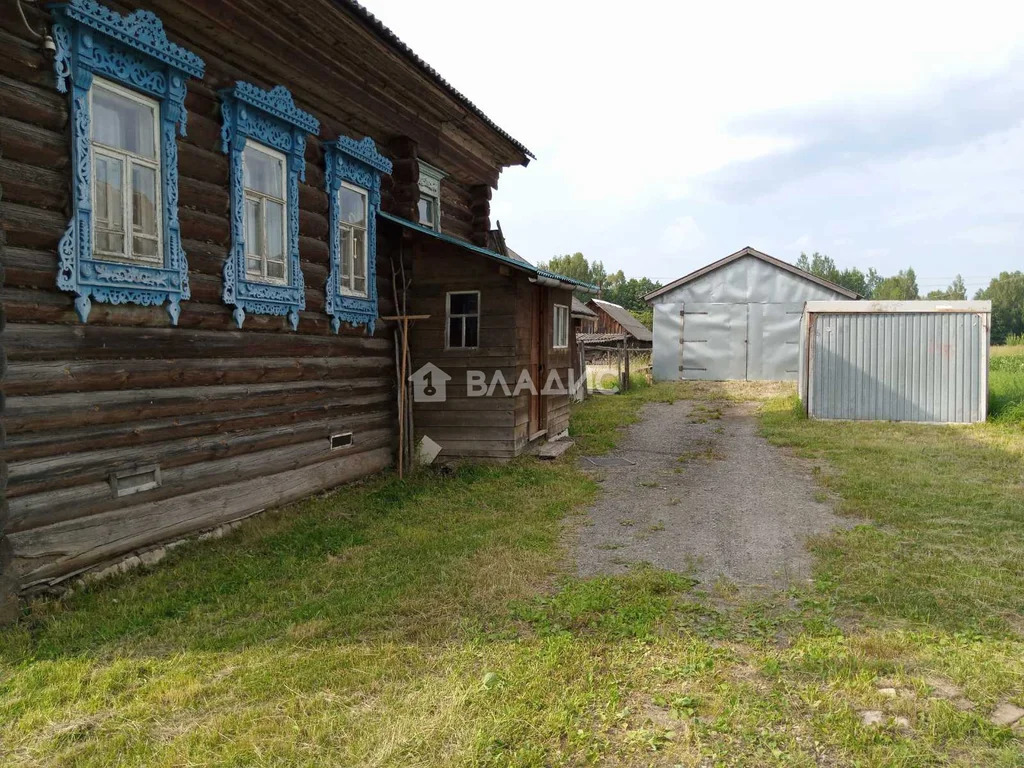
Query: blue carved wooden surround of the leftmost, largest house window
x=133 y=51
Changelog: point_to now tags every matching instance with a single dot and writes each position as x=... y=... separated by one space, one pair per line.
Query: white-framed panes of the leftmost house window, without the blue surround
x=126 y=186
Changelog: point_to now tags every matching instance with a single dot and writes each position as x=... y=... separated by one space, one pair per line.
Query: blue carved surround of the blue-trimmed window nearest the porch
x=358 y=163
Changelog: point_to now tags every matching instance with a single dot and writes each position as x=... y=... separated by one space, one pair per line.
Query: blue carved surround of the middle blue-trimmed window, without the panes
x=272 y=119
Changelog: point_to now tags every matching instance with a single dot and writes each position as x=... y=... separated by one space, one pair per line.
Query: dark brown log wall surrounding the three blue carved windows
x=238 y=420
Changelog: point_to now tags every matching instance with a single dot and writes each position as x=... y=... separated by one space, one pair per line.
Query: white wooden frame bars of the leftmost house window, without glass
x=127 y=159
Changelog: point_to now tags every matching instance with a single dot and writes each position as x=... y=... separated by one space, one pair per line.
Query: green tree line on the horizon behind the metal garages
x=1006 y=292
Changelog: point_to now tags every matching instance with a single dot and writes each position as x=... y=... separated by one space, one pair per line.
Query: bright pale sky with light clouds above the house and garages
x=670 y=135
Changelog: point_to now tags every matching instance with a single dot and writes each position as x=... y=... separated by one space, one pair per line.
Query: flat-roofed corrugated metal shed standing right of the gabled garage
x=895 y=361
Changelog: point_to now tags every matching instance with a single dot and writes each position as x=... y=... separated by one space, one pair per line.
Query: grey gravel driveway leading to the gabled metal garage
x=697 y=490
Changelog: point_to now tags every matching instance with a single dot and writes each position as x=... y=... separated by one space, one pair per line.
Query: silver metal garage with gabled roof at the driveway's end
x=736 y=319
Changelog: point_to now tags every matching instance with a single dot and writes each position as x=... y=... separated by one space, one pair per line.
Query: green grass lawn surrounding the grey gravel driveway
x=432 y=624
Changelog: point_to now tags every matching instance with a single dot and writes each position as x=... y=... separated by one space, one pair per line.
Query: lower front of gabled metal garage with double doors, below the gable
x=724 y=342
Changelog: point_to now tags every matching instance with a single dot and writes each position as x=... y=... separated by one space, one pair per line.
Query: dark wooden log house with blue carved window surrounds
x=202 y=207
